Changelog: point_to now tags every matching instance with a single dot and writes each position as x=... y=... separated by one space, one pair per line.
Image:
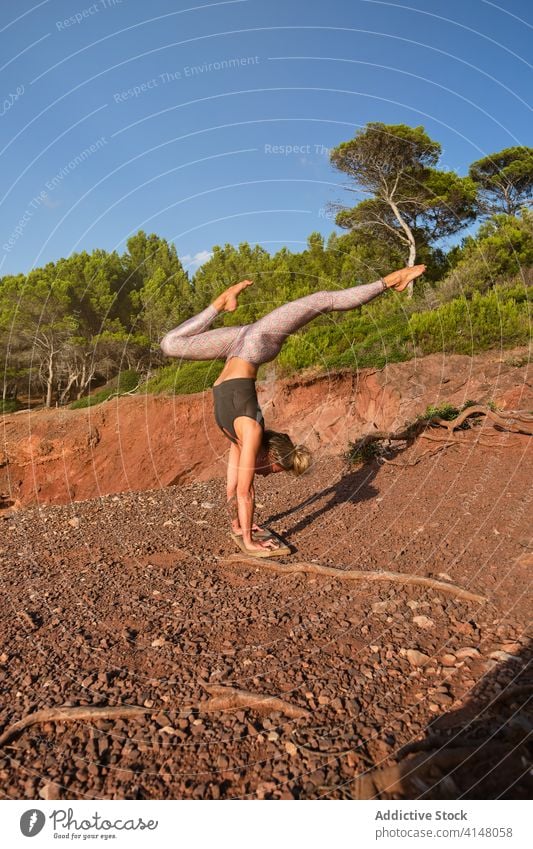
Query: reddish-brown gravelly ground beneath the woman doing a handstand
x=131 y=599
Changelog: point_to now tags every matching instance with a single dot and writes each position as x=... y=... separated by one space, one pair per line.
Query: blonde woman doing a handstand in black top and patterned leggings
x=255 y=450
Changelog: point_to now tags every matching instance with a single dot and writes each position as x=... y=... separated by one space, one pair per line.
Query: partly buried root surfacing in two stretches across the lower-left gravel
x=223 y=698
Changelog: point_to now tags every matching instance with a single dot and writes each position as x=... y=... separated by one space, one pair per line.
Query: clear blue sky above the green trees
x=210 y=123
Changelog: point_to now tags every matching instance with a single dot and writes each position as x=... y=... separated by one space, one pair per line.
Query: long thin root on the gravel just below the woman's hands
x=354 y=575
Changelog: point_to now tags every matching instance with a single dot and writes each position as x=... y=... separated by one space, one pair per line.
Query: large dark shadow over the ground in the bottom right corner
x=483 y=750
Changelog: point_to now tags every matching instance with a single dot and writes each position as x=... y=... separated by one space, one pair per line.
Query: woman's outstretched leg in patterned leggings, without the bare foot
x=263 y=339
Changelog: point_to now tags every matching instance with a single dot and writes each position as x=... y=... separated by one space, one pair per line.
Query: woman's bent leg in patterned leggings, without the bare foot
x=190 y=342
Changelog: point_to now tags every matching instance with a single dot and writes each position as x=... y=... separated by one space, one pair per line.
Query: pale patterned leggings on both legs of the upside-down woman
x=261 y=341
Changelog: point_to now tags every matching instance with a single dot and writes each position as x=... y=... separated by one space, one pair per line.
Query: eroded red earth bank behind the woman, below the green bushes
x=146 y=442
